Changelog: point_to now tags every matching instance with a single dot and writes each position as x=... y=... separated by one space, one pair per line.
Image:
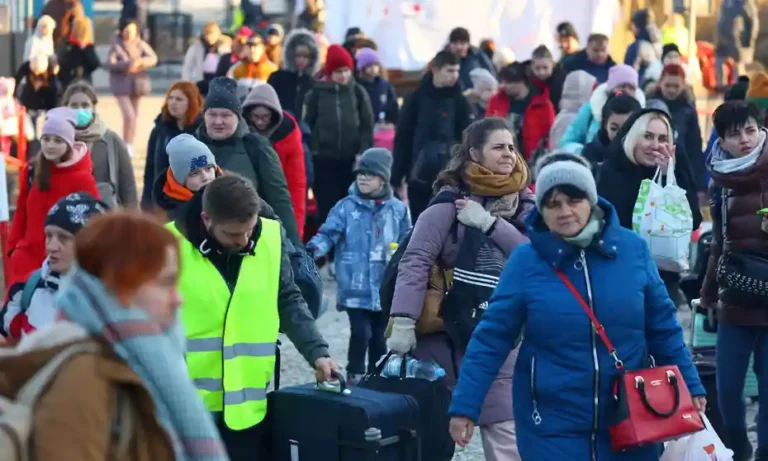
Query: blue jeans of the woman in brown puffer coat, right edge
x=735 y=344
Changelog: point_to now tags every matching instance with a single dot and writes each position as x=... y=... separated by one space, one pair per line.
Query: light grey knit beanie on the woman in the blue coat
x=559 y=169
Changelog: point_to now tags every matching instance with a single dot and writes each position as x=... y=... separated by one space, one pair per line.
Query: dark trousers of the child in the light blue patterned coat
x=367 y=328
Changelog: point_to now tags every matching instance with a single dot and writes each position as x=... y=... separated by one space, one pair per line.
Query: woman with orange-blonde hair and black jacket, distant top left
x=78 y=56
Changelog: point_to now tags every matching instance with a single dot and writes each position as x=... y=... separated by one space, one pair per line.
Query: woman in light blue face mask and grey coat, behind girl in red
x=112 y=166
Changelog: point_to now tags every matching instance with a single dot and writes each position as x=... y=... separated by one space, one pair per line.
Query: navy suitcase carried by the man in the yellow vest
x=308 y=424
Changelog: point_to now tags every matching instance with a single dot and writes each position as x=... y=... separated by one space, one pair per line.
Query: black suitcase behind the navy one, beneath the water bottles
x=433 y=397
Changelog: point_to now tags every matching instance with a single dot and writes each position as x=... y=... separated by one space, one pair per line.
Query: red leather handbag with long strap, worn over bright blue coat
x=650 y=405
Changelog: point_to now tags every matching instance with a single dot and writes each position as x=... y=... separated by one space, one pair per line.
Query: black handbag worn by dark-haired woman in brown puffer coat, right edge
x=742 y=276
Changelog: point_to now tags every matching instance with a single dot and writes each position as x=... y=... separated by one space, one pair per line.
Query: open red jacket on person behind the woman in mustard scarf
x=537 y=119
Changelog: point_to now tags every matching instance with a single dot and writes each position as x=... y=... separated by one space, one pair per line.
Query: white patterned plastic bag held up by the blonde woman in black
x=663 y=218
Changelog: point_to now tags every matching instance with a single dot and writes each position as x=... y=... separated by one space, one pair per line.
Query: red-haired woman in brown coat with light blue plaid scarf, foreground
x=118 y=321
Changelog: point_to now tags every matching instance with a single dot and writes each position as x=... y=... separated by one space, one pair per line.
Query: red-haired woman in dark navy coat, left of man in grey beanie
x=179 y=114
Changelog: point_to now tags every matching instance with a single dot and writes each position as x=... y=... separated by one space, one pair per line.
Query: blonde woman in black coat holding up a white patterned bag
x=646 y=141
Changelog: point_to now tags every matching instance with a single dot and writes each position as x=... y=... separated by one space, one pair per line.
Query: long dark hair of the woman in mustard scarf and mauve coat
x=474 y=136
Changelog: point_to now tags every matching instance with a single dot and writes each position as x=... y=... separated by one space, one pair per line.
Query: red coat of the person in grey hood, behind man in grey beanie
x=286 y=140
